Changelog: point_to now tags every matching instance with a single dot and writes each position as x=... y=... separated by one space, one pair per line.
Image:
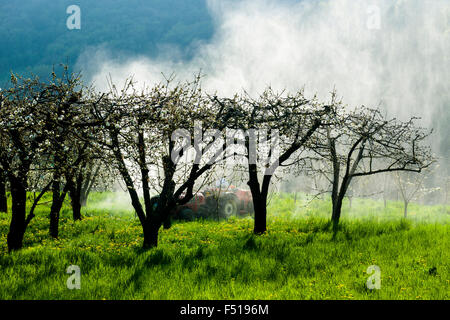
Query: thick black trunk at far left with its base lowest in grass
x=17 y=226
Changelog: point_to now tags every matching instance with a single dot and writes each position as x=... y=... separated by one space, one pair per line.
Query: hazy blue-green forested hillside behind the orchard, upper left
x=34 y=35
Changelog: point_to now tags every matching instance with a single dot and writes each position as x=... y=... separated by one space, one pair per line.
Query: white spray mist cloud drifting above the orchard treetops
x=393 y=53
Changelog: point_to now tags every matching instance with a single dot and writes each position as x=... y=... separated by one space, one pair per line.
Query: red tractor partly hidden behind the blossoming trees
x=219 y=203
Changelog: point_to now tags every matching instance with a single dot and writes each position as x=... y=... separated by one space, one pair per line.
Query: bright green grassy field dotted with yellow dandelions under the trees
x=298 y=258
